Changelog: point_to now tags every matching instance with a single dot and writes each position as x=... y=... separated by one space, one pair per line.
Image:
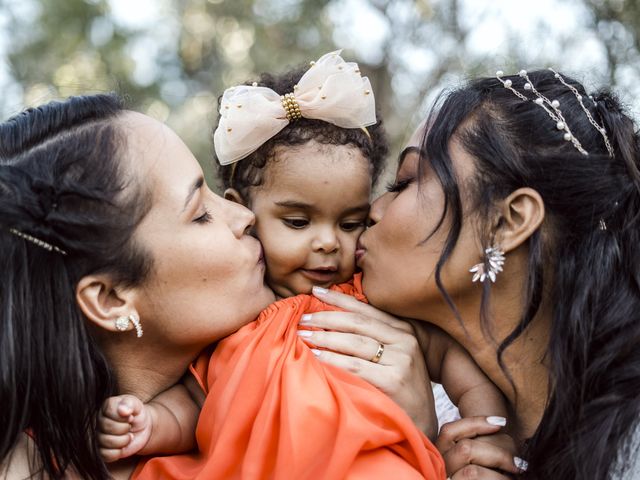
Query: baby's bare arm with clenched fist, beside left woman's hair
x=166 y=424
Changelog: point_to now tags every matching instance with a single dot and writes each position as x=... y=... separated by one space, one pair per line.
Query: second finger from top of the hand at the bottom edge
x=474 y=452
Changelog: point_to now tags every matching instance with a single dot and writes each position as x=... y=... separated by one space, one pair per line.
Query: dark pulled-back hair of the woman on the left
x=61 y=181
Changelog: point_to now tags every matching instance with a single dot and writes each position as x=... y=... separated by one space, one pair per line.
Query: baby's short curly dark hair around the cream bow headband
x=249 y=171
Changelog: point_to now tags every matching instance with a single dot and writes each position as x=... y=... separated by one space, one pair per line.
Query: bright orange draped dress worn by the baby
x=274 y=411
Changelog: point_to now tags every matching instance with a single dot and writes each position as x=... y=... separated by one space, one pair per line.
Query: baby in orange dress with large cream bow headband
x=303 y=151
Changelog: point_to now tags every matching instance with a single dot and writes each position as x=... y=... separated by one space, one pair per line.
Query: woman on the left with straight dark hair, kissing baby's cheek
x=107 y=233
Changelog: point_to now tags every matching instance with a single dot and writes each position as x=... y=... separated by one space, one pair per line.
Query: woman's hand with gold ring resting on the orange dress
x=378 y=348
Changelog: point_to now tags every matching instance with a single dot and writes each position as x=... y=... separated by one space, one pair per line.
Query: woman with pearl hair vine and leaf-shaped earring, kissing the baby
x=514 y=225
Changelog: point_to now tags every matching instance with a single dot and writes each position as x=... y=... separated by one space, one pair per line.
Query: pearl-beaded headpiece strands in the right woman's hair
x=552 y=107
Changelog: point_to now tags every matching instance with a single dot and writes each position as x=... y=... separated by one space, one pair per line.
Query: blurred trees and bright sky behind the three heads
x=173 y=58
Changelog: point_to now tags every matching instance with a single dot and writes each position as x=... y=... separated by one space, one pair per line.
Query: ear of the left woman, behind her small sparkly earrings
x=102 y=302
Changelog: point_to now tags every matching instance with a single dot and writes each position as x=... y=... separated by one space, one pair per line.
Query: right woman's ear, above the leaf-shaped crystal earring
x=522 y=214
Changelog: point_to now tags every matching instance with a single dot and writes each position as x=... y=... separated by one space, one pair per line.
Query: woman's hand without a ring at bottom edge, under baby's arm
x=474 y=447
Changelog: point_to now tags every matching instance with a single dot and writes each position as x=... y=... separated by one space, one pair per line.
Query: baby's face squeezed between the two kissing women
x=310 y=211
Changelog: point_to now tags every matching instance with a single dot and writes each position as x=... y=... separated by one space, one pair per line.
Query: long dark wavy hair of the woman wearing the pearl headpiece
x=589 y=254
